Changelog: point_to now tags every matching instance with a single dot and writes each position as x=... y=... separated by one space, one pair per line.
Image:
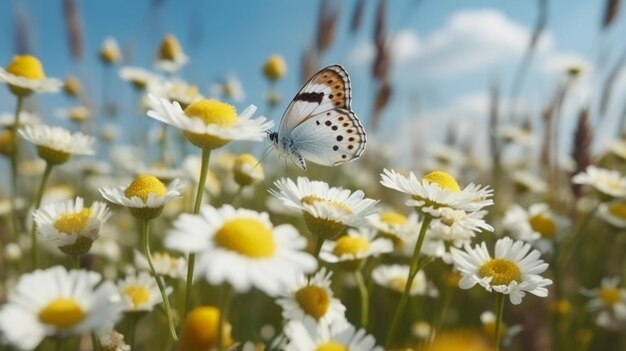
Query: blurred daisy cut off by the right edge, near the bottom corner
x=609 y=302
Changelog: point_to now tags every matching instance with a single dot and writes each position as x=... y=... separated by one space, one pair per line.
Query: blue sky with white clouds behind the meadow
x=237 y=36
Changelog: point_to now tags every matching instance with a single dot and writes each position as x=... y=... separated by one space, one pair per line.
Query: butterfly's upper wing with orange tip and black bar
x=328 y=89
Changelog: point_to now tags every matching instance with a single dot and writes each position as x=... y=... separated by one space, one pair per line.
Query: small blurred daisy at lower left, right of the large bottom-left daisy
x=139 y=292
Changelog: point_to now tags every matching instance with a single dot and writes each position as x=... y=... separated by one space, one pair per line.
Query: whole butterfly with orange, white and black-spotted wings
x=319 y=125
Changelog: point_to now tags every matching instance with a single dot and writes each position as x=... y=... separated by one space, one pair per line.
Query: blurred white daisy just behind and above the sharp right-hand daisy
x=538 y=225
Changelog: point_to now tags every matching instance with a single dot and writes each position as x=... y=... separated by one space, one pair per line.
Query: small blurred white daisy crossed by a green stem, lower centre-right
x=394 y=277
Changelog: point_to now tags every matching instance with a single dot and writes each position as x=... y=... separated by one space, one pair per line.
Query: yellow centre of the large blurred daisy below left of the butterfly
x=247 y=237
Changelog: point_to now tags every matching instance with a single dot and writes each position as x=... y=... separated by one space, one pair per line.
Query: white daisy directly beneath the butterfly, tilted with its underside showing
x=328 y=211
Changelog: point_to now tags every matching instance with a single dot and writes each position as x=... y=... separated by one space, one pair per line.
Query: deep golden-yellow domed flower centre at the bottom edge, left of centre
x=201 y=328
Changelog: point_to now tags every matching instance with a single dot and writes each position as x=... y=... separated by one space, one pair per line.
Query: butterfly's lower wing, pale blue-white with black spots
x=330 y=138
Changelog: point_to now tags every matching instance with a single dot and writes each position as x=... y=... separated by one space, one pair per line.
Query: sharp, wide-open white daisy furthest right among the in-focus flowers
x=513 y=271
